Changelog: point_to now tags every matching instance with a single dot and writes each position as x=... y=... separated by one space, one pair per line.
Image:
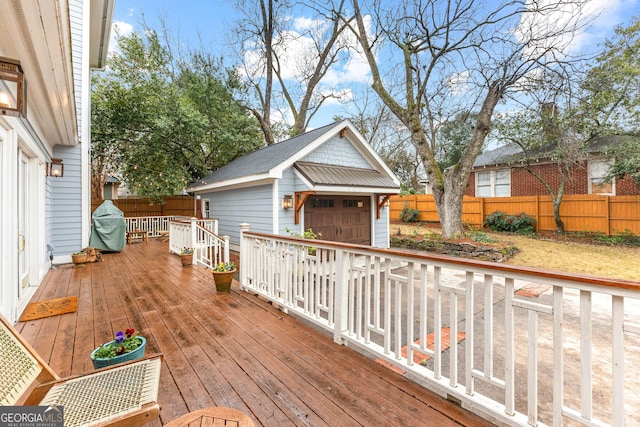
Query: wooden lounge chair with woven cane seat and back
x=124 y=394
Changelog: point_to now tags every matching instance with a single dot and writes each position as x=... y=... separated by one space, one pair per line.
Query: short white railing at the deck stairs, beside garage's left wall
x=201 y=235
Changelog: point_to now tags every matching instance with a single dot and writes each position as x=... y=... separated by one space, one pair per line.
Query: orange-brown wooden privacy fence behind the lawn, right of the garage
x=579 y=212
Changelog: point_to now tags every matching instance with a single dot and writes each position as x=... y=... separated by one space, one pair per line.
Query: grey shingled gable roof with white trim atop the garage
x=269 y=162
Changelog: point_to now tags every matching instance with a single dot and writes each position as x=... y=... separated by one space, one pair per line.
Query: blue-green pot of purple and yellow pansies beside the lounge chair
x=127 y=346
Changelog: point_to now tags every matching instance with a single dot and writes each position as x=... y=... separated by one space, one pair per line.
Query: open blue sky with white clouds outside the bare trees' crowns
x=212 y=20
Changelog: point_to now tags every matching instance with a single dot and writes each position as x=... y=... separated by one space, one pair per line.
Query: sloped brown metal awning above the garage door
x=333 y=175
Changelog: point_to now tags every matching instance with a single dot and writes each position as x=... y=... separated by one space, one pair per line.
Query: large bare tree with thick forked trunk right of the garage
x=454 y=56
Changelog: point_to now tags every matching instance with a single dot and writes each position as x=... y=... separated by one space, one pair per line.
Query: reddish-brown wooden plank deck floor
x=232 y=350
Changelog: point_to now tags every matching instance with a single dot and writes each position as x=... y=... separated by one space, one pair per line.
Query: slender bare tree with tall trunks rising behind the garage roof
x=285 y=65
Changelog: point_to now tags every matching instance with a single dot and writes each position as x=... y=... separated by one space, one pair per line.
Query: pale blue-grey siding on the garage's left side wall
x=251 y=205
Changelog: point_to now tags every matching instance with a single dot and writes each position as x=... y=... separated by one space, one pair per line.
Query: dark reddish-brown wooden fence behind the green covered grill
x=170 y=206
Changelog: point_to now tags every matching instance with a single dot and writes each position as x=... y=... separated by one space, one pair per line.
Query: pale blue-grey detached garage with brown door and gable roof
x=329 y=180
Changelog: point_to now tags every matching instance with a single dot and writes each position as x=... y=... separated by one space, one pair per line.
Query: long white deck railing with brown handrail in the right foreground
x=557 y=359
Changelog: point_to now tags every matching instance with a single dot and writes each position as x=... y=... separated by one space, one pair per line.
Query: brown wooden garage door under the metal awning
x=339 y=218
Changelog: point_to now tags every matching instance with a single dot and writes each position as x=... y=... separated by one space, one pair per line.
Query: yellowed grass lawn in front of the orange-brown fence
x=573 y=255
